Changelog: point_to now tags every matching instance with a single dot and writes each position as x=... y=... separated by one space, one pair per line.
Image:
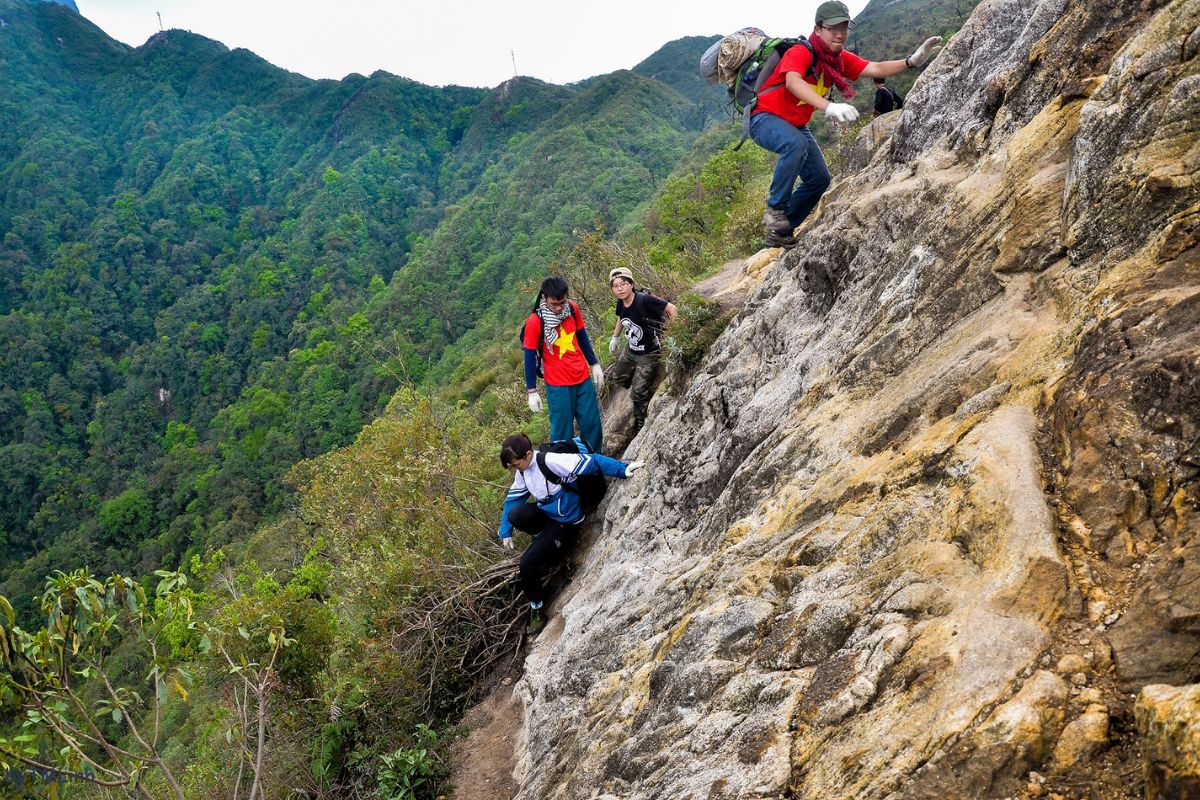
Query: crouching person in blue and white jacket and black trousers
x=567 y=482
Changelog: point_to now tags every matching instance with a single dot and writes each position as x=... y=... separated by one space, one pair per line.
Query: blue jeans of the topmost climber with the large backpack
x=800 y=158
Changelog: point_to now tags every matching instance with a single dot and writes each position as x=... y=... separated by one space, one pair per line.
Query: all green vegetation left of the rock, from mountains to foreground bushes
x=259 y=340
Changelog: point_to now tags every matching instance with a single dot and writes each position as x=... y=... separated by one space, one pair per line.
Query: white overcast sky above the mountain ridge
x=465 y=44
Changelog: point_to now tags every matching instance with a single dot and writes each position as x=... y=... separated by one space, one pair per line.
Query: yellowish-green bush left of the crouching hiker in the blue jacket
x=411 y=514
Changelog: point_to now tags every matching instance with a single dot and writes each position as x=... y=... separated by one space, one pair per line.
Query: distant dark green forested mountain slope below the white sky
x=196 y=258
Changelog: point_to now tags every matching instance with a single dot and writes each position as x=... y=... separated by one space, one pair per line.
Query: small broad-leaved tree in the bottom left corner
x=63 y=677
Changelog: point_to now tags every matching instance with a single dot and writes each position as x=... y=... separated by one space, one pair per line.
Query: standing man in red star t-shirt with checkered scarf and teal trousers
x=555 y=335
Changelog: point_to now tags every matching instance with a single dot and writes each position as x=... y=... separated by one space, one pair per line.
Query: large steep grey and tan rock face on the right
x=956 y=424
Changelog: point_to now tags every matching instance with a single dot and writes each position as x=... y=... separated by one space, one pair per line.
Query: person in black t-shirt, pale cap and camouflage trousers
x=641 y=316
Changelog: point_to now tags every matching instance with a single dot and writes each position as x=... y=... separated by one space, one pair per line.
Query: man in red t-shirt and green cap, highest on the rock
x=797 y=88
